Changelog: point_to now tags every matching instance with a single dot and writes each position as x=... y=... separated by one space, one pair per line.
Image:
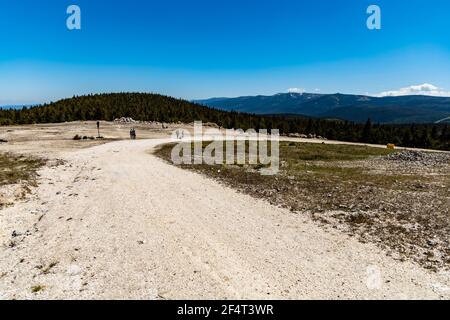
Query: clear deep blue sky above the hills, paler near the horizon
x=204 y=48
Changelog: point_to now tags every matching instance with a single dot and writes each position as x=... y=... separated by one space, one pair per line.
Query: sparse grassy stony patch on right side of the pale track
x=357 y=190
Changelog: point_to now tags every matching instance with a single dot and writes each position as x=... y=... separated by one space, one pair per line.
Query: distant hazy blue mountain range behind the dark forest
x=358 y=108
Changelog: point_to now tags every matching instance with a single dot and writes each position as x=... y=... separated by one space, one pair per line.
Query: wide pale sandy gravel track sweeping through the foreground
x=115 y=222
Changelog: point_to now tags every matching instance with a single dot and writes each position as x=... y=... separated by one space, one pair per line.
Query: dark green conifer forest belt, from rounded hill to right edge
x=154 y=107
